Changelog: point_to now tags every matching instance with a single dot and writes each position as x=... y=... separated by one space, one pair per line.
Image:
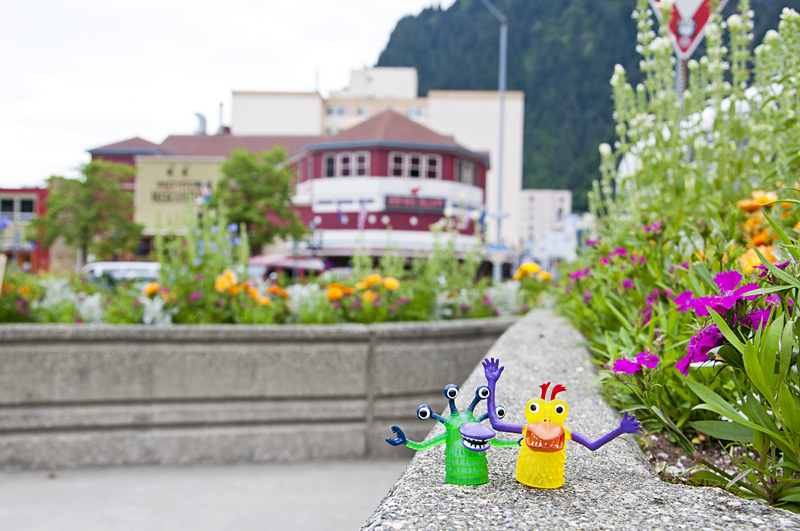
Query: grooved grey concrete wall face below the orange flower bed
x=75 y=396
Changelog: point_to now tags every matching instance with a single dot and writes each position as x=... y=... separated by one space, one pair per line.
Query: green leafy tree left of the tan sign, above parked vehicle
x=91 y=213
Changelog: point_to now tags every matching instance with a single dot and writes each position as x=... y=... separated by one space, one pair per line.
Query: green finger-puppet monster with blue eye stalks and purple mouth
x=466 y=439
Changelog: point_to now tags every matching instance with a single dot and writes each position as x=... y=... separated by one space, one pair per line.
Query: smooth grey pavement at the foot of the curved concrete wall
x=331 y=495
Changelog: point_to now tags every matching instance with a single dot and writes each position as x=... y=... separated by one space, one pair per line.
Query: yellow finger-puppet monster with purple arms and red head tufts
x=542 y=455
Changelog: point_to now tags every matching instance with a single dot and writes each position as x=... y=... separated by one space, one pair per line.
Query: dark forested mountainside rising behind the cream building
x=561 y=53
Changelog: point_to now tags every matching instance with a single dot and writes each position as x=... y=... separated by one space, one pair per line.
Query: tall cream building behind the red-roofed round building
x=472 y=118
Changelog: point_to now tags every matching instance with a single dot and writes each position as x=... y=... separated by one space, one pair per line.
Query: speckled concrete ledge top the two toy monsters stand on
x=612 y=488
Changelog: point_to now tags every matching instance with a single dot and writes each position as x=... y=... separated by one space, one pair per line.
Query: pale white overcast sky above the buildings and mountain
x=86 y=73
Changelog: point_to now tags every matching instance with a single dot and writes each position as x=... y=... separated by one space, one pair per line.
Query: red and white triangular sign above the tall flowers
x=687 y=23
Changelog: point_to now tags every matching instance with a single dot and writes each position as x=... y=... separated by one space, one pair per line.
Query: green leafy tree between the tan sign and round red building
x=257 y=190
